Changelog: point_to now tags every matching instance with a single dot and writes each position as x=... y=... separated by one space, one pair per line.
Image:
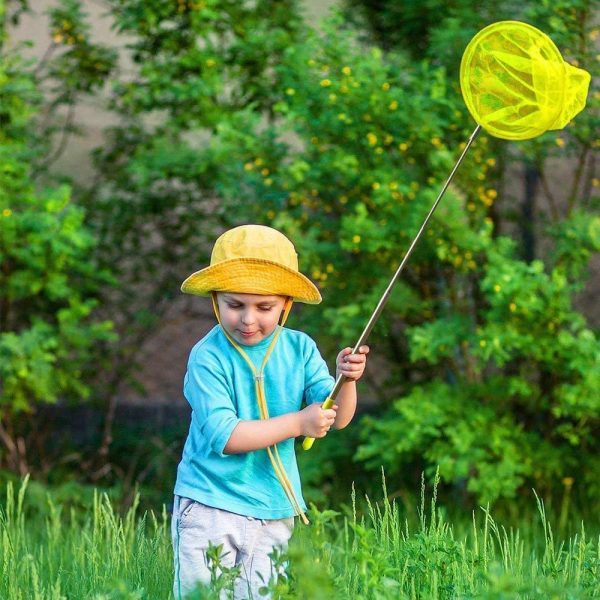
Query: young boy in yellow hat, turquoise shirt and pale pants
x=238 y=483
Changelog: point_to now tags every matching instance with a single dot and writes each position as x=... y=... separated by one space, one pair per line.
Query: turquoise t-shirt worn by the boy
x=219 y=386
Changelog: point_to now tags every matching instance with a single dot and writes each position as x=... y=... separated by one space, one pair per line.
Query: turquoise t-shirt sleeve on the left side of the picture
x=205 y=388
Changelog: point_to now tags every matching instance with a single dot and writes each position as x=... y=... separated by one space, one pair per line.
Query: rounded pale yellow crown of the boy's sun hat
x=255 y=242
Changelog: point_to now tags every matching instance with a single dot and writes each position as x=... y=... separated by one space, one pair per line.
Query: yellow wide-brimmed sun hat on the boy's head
x=253 y=259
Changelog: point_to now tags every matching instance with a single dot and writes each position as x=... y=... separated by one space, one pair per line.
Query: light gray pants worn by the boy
x=246 y=541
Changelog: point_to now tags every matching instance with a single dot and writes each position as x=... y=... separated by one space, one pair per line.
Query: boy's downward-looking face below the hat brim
x=249 y=318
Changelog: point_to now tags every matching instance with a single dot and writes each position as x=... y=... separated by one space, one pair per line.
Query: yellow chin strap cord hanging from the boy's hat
x=261 y=398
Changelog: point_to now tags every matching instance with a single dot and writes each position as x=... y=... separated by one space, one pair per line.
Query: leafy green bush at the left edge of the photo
x=47 y=280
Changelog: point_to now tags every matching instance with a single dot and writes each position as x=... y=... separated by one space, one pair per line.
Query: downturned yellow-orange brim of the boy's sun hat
x=252 y=276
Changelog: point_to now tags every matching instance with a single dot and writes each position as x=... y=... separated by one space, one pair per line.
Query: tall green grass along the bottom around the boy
x=59 y=552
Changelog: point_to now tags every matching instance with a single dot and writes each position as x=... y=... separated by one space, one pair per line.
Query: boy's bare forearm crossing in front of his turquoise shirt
x=254 y=435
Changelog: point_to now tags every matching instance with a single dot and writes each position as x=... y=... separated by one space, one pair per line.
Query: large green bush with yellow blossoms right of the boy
x=490 y=371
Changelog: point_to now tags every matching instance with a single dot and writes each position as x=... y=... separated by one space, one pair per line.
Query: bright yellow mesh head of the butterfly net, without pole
x=516 y=84
